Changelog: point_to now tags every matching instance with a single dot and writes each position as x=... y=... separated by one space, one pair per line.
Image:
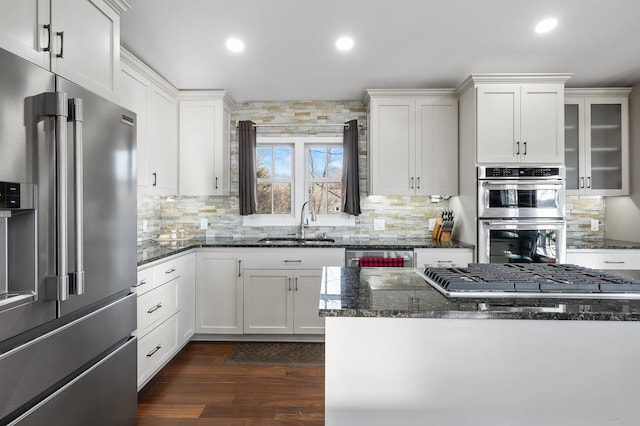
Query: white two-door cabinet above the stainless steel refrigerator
x=77 y=39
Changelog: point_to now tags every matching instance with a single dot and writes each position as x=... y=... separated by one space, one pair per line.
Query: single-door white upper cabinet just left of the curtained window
x=204 y=142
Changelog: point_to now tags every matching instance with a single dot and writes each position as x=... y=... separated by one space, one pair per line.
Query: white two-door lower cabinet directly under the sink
x=282 y=289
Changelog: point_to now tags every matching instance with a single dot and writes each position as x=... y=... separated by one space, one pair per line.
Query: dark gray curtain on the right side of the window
x=350 y=170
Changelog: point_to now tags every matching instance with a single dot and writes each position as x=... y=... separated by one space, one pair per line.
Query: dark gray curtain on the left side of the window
x=248 y=180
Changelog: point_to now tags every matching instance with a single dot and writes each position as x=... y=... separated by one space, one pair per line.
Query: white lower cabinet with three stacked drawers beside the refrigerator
x=165 y=312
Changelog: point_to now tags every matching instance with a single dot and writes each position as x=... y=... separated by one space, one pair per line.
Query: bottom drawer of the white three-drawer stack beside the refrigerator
x=156 y=348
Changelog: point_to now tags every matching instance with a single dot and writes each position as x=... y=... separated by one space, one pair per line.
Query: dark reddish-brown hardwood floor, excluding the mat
x=196 y=388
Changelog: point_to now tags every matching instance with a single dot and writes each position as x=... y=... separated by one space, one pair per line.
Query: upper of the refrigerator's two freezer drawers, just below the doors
x=52 y=358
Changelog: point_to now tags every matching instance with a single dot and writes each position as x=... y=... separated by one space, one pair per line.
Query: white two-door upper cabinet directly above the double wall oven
x=514 y=118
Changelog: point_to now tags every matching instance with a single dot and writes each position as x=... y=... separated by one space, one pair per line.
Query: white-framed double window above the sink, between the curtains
x=292 y=170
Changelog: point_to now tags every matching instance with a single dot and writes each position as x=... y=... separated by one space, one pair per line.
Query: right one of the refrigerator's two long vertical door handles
x=76 y=285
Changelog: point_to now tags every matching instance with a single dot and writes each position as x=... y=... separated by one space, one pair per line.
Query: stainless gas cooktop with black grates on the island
x=518 y=280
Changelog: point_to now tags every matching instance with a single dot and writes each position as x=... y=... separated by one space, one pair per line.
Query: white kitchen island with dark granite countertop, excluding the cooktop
x=399 y=352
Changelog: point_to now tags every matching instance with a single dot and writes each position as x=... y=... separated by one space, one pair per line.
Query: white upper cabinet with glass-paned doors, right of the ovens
x=597 y=141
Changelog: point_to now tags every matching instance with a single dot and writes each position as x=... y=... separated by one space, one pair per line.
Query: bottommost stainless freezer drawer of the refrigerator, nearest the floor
x=89 y=400
